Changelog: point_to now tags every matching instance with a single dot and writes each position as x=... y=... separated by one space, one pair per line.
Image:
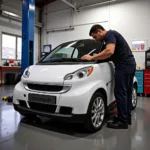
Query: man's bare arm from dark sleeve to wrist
x=110 y=49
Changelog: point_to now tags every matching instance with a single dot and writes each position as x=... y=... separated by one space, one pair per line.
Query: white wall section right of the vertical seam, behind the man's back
x=133 y=21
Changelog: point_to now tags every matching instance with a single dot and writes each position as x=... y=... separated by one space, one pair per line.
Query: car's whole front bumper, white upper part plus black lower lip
x=77 y=100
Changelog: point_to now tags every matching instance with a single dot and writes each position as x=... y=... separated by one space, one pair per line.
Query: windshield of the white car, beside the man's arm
x=73 y=51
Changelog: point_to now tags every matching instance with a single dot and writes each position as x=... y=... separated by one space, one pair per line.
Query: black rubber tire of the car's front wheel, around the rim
x=88 y=122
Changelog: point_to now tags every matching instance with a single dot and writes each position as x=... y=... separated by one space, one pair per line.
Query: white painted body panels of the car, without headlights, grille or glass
x=80 y=94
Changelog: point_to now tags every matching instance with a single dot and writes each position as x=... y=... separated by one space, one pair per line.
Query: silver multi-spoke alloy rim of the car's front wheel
x=98 y=111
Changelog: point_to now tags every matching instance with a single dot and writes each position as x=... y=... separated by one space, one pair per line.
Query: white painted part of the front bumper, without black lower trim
x=77 y=98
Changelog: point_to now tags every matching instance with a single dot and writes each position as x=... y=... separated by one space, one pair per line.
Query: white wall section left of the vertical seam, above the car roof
x=61 y=16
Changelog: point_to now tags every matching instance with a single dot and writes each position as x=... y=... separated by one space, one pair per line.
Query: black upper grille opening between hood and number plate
x=48 y=88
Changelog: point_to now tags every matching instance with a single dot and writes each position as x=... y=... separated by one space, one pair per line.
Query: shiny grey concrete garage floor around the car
x=17 y=133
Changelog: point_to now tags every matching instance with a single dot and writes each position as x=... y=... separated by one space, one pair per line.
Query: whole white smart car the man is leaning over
x=65 y=87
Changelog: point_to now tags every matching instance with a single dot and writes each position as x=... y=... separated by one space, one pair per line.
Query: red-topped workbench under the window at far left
x=8 y=69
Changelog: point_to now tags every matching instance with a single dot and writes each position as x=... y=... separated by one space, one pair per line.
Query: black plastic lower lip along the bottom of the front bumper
x=69 y=118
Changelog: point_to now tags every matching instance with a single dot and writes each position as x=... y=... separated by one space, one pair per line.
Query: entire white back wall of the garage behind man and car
x=130 y=17
